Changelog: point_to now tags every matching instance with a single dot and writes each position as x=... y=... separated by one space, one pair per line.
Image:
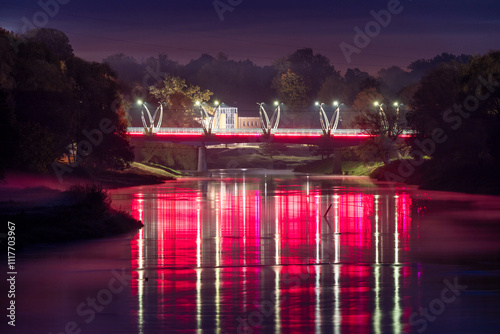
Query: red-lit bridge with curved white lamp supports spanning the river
x=212 y=133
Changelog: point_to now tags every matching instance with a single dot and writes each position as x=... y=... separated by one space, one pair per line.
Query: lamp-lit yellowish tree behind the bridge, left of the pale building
x=180 y=99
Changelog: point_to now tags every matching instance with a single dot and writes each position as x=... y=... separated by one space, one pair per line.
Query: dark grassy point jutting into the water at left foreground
x=83 y=212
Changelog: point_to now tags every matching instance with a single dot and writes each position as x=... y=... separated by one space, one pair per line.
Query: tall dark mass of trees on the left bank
x=55 y=106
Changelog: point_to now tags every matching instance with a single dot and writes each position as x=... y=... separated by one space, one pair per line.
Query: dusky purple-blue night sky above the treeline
x=262 y=31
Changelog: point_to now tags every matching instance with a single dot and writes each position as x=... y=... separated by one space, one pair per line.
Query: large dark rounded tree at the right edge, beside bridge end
x=462 y=101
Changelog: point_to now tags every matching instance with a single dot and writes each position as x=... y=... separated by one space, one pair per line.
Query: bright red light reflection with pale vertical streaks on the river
x=214 y=253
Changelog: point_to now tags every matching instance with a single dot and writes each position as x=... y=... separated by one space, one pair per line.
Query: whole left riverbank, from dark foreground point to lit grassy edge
x=45 y=210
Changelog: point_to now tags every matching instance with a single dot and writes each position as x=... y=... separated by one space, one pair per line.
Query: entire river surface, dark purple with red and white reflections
x=270 y=252
